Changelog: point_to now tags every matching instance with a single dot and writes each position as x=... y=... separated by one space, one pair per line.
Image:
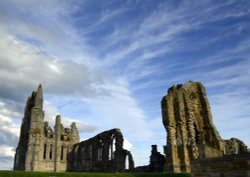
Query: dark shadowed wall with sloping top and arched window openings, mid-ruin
x=102 y=153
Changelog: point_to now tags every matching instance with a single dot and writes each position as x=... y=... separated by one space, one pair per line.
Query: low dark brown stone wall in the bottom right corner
x=226 y=166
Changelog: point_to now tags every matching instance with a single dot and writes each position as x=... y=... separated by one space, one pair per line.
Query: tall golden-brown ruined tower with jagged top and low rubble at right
x=191 y=133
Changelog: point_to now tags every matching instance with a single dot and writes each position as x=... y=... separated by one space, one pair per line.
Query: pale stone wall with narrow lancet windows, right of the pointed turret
x=57 y=145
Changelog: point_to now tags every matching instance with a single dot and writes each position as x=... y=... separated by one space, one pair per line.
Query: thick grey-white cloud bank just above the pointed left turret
x=26 y=66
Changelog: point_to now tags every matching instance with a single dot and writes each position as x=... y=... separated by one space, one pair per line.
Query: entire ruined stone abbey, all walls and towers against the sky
x=193 y=143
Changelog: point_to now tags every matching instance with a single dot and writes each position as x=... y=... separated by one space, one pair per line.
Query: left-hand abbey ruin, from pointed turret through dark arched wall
x=40 y=148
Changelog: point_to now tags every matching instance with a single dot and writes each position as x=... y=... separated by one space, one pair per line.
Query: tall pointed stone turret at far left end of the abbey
x=27 y=155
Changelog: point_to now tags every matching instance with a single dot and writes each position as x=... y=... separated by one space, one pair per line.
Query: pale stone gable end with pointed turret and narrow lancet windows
x=39 y=147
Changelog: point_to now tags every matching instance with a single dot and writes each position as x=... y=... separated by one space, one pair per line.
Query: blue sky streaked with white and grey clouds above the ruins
x=107 y=64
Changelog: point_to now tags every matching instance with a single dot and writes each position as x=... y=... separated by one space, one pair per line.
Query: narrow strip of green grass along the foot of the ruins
x=45 y=174
